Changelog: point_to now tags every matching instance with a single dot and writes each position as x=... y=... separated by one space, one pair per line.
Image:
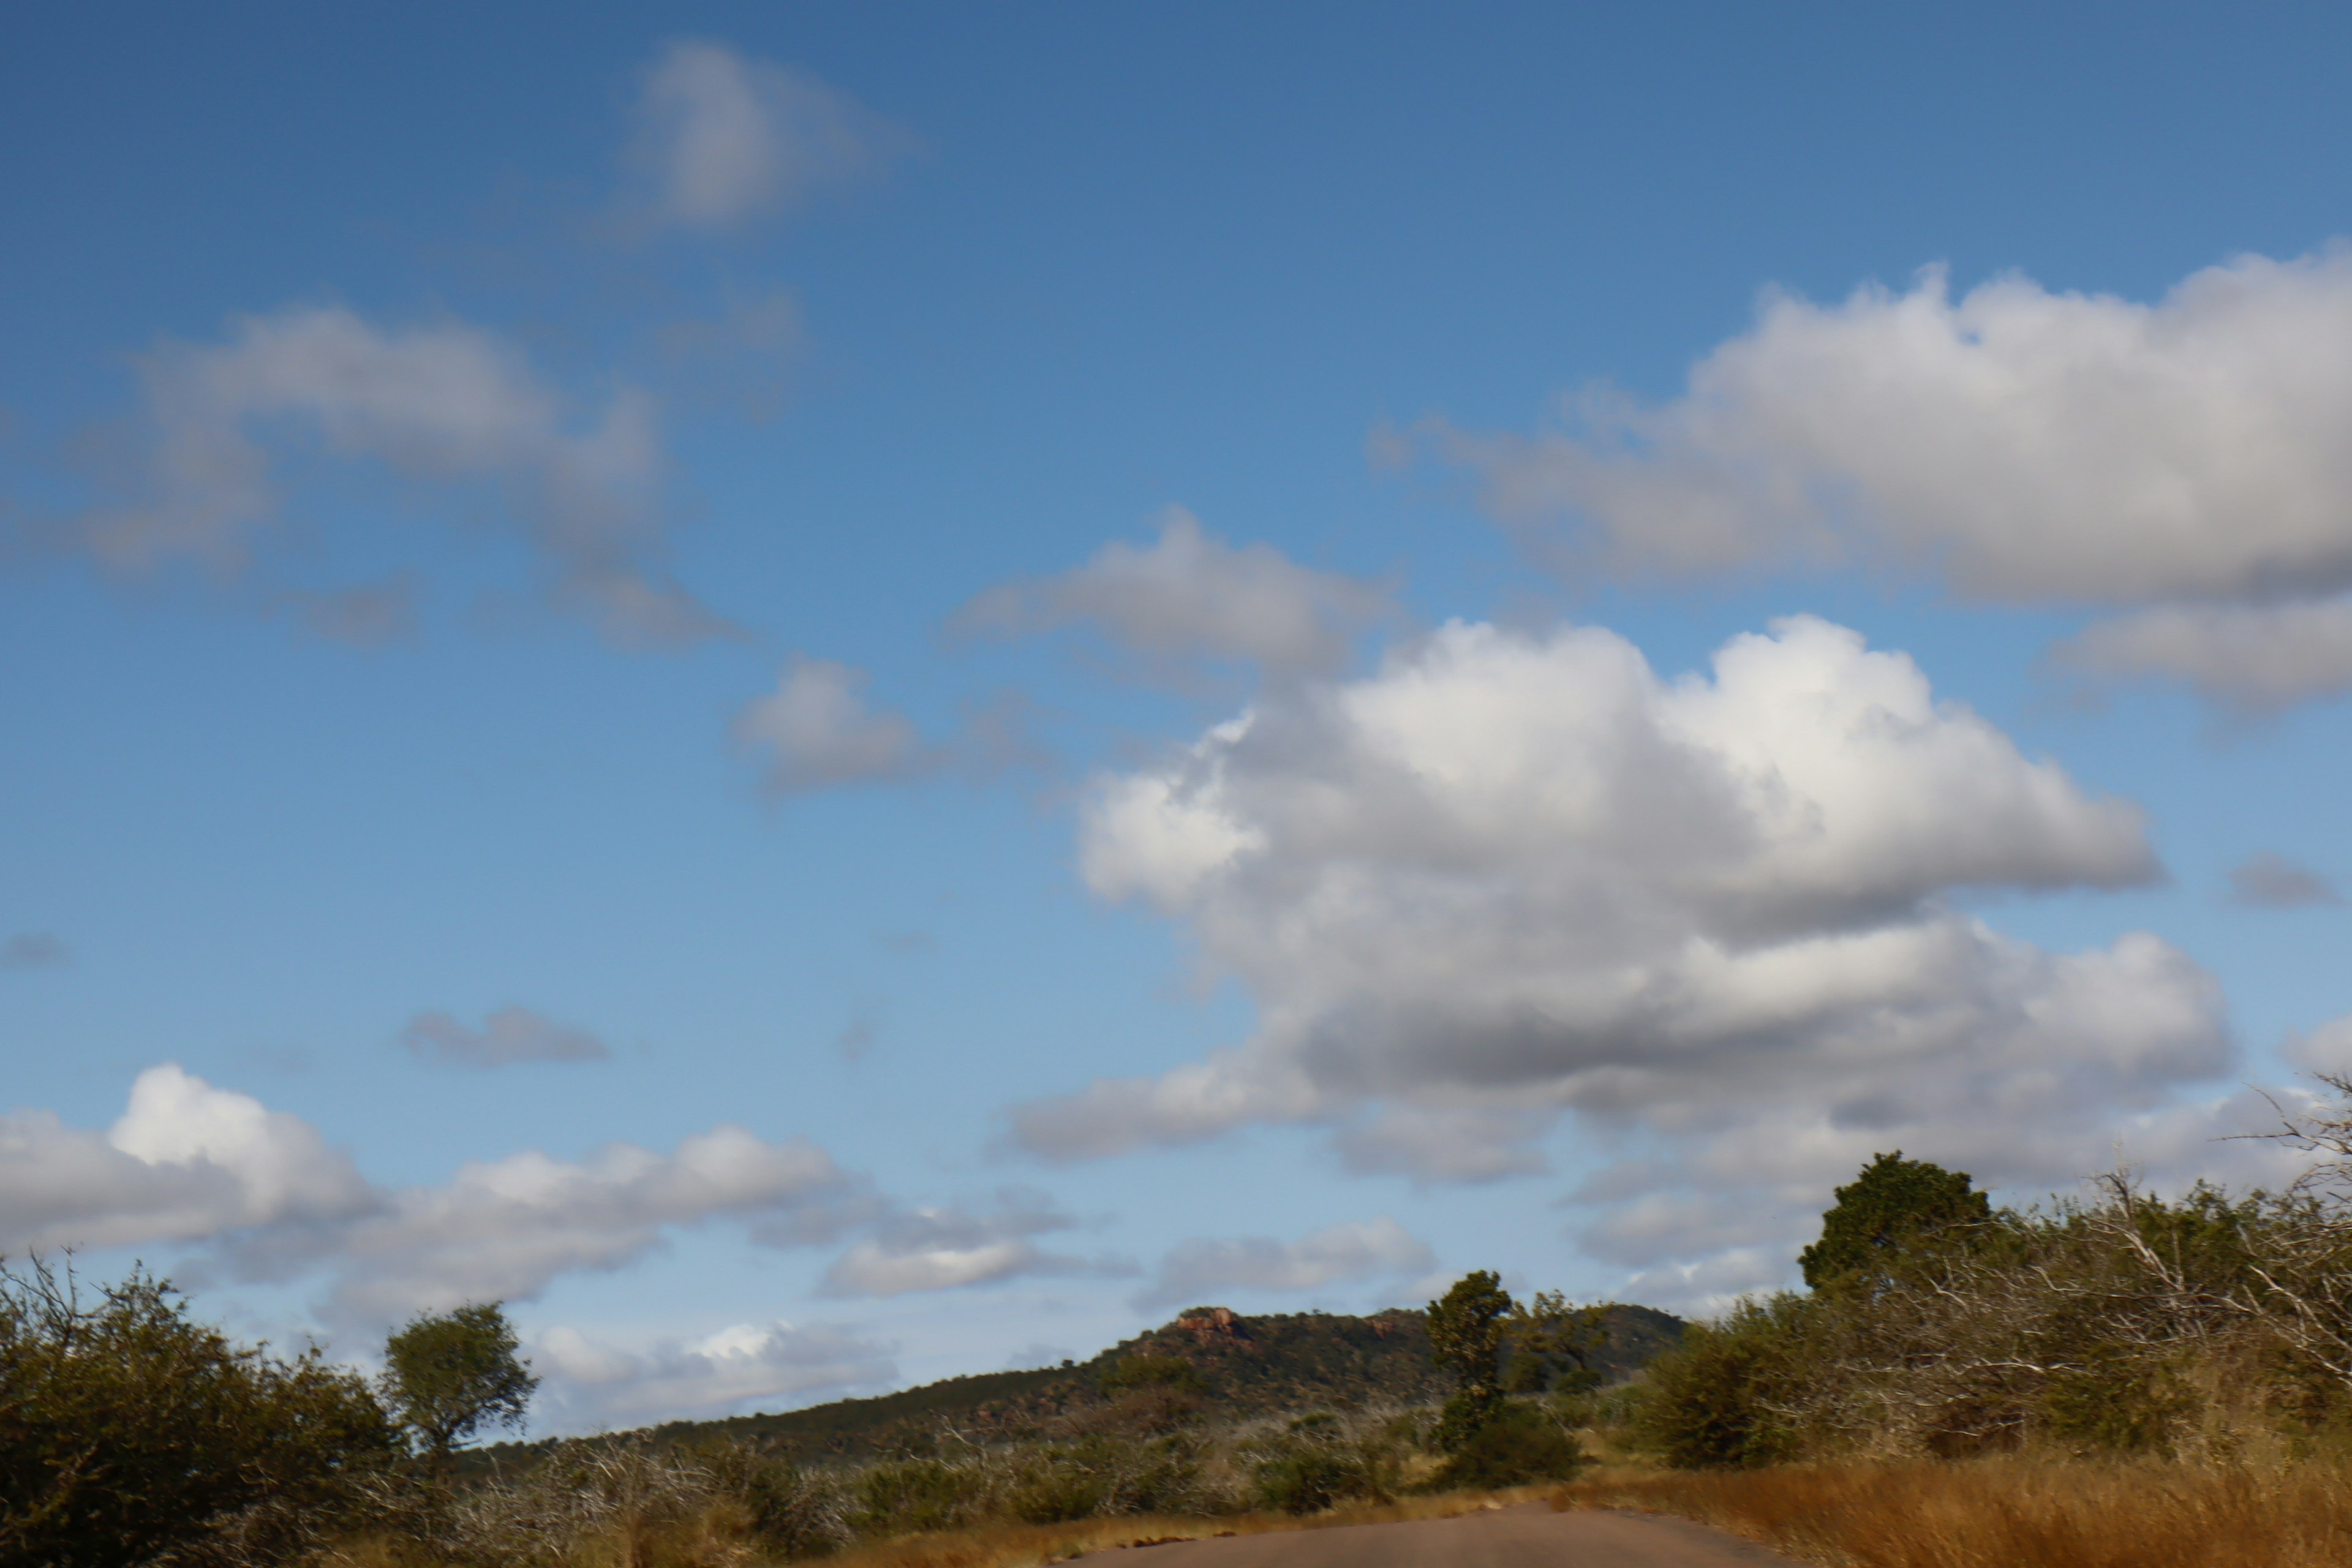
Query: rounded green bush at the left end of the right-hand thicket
x=1709 y=1402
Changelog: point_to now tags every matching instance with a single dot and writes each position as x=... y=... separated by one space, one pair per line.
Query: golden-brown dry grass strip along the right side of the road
x=2012 y=1513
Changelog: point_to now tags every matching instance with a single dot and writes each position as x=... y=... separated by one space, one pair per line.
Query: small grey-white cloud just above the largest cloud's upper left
x=1191 y=596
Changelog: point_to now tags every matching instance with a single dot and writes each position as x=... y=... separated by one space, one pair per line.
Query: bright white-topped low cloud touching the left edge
x=185 y=1162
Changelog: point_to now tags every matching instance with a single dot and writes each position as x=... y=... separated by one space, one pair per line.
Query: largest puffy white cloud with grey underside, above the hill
x=1521 y=876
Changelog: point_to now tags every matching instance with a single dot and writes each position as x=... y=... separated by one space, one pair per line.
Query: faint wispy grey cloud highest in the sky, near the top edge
x=723 y=138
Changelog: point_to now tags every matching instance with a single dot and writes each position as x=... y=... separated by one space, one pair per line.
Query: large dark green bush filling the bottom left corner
x=128 y=1433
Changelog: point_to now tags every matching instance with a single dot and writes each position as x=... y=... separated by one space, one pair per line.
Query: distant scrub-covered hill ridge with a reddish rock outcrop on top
x=1205 y=1365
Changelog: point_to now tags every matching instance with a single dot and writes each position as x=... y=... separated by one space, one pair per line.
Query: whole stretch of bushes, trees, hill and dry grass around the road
x=2106 y=1381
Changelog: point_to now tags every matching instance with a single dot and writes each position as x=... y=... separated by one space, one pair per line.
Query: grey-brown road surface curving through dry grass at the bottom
x=1509 y=1539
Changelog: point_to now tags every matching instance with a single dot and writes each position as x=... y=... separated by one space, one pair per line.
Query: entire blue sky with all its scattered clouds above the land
x=627 y=643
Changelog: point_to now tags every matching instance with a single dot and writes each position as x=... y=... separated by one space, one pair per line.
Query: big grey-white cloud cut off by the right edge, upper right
x=2022 y=445
